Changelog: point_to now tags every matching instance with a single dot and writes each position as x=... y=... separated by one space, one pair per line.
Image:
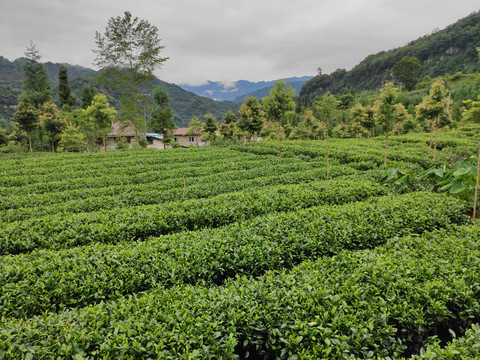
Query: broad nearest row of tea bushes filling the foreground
x=382 y=303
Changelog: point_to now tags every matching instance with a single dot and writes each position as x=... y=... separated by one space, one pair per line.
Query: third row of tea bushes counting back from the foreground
x=137 y=222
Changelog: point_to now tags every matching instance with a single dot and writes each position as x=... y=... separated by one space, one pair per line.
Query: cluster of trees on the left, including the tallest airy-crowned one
x=129 y=50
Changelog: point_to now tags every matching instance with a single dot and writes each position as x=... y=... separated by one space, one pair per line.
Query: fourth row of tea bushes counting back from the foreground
x=167 y=189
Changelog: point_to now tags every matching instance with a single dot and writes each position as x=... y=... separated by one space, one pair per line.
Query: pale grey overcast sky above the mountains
x=227 y=40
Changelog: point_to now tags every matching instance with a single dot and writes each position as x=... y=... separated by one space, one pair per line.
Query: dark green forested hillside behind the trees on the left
x=184 y=103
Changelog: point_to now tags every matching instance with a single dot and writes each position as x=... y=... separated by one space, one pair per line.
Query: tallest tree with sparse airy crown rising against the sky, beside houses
x=129 y=50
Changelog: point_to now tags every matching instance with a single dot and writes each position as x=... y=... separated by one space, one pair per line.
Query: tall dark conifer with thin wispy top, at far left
x=36 y=87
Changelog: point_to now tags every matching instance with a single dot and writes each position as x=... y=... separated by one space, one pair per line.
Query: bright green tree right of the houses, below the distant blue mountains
x=278 y=103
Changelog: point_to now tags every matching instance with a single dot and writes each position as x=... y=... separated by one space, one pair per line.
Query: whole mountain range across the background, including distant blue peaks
x=448 y=51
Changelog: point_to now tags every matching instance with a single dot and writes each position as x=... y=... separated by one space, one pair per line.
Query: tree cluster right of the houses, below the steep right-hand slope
x=395 y=109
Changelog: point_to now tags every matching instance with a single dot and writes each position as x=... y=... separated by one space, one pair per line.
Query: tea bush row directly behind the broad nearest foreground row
x=50 y=281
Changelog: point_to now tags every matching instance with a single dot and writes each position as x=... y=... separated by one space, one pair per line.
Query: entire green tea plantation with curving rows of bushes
x=233 y=253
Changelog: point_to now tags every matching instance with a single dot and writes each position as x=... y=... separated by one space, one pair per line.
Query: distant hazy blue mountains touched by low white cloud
x=239 y=90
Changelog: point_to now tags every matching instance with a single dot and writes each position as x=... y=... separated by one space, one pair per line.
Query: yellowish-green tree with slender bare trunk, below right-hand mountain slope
x=435 y=108
